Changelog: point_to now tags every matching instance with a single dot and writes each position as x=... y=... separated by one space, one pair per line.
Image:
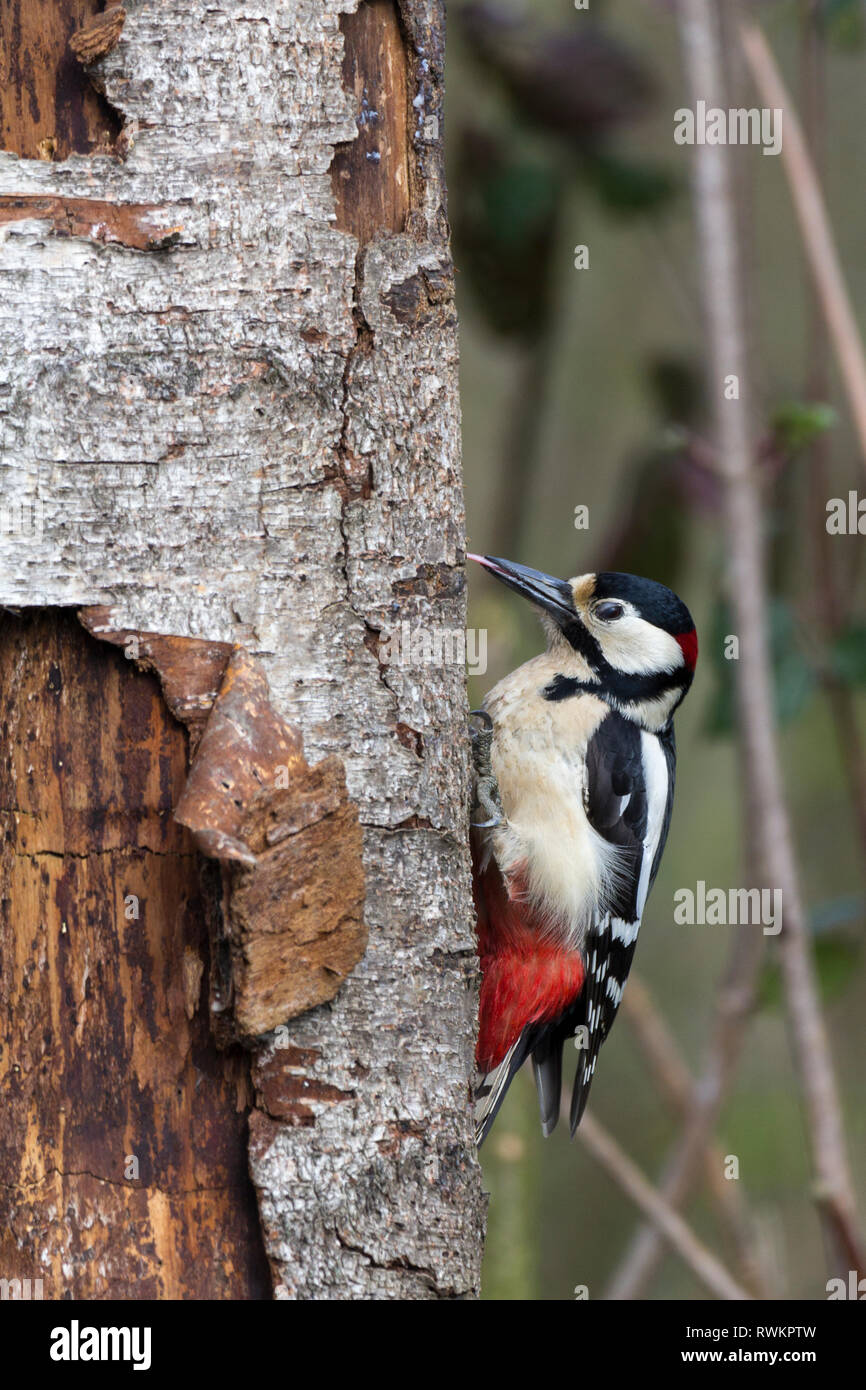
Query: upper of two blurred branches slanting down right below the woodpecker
x=676 y=1082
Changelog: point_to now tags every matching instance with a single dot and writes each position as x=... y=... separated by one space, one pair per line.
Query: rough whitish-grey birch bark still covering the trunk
x=251 y=437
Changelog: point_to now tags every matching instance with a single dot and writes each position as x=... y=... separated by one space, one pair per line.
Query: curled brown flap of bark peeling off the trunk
x=291 y=922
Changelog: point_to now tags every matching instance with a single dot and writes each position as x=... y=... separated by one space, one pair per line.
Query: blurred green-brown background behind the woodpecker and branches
x=585 y=389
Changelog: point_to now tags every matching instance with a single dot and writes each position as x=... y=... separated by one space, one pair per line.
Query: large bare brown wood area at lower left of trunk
x=106 y=1053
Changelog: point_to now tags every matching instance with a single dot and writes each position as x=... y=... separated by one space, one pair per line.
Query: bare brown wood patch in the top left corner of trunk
x=49 y=106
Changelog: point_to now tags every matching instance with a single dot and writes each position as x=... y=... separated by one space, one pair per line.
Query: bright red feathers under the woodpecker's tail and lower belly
x=525 y=976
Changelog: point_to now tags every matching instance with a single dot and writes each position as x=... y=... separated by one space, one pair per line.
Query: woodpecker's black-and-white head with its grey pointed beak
x=636 y=636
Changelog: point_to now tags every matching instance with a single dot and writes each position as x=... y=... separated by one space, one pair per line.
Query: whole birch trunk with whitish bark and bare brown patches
x=230 y=447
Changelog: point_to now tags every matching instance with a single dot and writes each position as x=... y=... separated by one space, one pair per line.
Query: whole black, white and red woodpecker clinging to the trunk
x=576 y=780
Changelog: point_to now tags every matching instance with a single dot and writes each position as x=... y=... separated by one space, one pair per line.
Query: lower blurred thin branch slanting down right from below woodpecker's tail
x=679 y=1235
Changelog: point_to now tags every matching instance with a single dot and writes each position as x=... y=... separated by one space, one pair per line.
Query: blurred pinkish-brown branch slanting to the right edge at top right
x=815 y=227
